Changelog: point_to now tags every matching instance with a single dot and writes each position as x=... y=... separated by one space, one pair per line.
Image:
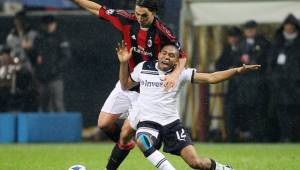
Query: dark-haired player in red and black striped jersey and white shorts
x=145 y=34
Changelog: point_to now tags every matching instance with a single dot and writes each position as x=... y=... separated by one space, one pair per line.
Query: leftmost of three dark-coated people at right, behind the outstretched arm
x=229 y=57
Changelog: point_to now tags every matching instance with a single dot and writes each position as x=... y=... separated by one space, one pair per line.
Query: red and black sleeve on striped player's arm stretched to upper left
x=118 y=18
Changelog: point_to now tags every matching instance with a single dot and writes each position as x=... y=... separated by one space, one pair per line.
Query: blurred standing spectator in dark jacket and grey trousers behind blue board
x=53 y=53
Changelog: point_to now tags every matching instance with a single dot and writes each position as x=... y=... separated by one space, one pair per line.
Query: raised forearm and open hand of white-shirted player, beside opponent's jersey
x=124 y=55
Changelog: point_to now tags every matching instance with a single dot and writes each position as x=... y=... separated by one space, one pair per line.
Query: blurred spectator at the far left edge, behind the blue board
x=17 y=92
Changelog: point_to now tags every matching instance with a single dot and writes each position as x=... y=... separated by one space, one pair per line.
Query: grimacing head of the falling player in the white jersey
x=167 y=58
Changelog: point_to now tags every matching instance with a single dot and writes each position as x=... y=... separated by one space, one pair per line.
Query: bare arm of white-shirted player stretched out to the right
x=216 y=77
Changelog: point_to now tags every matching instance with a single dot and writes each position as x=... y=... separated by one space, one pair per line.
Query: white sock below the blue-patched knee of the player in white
x=160 y=161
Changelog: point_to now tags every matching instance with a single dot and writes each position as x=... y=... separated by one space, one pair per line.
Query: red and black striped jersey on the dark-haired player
x=146 y=44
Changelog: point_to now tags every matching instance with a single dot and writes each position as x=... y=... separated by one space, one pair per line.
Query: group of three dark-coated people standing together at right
x=265 y=106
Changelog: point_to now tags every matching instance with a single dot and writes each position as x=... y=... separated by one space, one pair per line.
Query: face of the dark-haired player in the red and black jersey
x=144 y=16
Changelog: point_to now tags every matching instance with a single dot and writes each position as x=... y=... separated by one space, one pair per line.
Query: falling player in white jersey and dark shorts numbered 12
x=158 y=118
